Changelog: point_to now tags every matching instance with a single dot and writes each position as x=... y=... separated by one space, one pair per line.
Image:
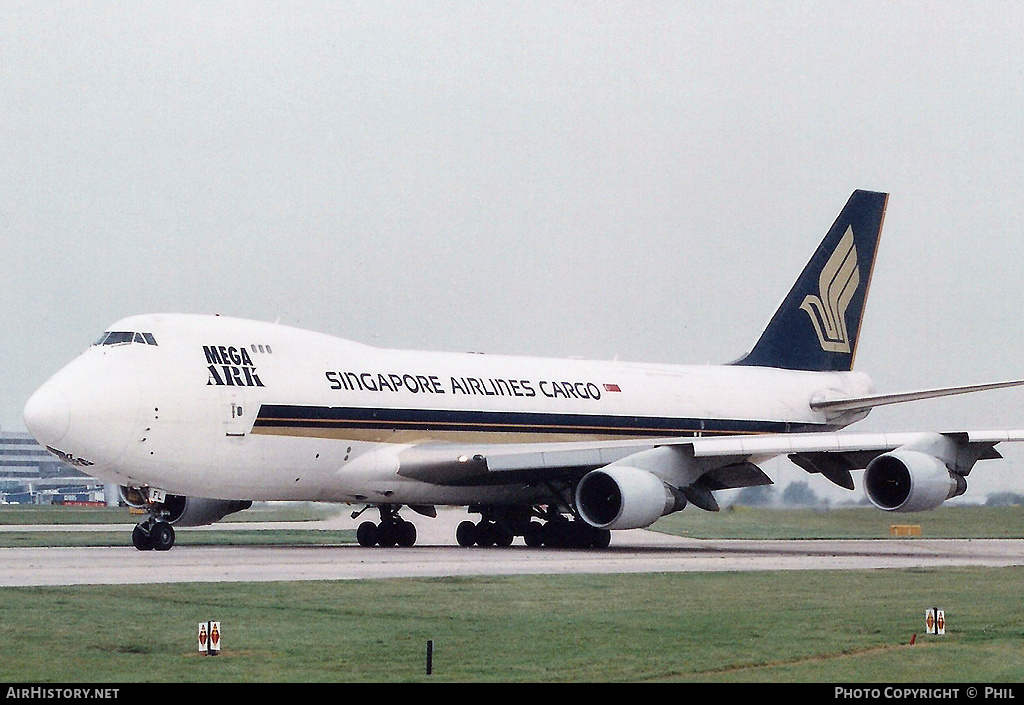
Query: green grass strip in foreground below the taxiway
x=799 y=627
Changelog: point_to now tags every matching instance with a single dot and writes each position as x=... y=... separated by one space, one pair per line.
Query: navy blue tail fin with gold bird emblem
x=819 y=323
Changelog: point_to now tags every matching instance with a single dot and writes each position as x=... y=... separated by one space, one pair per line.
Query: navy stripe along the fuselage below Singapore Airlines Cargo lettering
x=309 y=418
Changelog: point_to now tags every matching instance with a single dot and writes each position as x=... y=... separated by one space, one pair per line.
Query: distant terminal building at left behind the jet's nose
x=30 y=475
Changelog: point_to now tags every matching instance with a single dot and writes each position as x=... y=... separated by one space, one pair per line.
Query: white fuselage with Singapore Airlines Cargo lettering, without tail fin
x=234 y=409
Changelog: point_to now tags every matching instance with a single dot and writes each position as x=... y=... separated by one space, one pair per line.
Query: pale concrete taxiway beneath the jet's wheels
x=437 y=555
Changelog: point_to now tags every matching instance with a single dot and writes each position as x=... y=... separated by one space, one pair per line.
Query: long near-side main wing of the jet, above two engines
x=706 y=464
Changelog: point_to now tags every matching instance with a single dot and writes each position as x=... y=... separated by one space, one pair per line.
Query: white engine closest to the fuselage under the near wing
x=623 y=497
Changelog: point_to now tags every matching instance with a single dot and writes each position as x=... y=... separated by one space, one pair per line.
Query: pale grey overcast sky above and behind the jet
x=641 y=181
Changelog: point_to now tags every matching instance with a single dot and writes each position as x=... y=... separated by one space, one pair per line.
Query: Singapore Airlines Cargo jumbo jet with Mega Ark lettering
x=197 y=417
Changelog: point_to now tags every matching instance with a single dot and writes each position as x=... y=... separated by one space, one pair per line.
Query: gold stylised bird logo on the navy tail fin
x=837 y=285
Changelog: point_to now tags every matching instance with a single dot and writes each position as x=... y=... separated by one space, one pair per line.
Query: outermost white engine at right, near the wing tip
x=911 y=481
